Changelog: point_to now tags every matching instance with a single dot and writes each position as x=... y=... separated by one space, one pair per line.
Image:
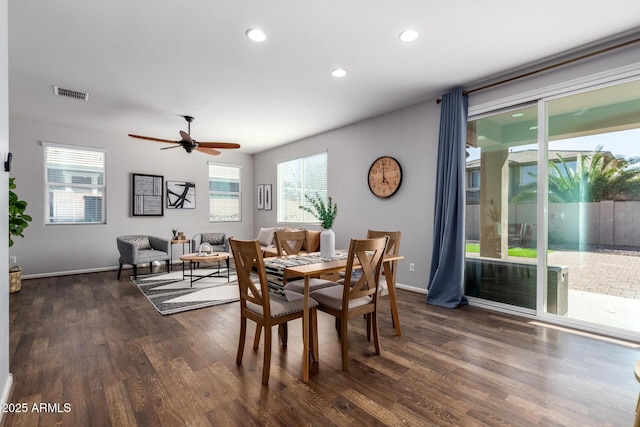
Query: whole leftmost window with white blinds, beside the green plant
x=75 y=184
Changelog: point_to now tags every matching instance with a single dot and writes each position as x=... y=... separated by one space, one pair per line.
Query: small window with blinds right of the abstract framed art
x=224 y=193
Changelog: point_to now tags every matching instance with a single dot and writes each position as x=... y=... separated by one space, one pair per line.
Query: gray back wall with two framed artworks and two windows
x=59 y=249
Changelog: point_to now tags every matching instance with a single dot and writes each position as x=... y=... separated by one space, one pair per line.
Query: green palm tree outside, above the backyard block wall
x=597 y=176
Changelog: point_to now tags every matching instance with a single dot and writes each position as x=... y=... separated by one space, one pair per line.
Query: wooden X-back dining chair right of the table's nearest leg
x=345 y=302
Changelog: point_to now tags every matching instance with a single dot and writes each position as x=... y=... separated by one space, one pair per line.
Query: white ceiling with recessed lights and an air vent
x=147 y=62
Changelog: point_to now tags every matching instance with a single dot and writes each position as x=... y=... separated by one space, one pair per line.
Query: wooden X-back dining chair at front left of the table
x=264 y=308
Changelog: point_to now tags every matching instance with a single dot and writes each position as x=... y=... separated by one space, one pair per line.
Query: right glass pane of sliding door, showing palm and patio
x=593 y=196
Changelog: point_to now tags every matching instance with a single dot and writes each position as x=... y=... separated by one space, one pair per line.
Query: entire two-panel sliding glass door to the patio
x=553 y=208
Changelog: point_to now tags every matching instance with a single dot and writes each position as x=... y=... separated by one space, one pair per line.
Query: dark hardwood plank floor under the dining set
x=94 y=343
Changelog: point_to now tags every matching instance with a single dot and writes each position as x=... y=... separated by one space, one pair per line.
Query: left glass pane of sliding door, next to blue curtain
x=501 y=264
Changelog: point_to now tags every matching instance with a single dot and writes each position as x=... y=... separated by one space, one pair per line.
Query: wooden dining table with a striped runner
x=313 y=265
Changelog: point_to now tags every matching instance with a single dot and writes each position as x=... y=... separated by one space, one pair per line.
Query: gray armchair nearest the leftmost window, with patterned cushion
x=141 y=249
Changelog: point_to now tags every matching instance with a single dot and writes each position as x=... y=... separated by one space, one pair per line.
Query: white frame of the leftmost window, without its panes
x=48 y=185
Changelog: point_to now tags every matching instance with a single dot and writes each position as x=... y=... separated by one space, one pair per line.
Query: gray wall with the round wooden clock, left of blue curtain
x=411 y=136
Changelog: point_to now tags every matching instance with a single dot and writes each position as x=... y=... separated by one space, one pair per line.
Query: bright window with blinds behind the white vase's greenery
x=297 y=177
